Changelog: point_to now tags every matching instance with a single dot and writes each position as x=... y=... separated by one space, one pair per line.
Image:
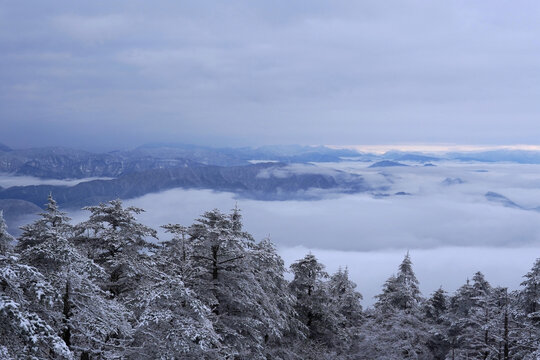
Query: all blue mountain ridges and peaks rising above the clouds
x=158 y=167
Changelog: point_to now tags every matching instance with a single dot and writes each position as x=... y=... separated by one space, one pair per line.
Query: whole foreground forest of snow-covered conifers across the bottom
x=107 y=288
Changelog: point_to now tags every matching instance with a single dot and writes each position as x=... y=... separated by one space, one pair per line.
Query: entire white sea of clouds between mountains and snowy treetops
x=450 y=228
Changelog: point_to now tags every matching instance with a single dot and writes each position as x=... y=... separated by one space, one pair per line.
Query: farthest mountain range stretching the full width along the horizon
x=64 y=163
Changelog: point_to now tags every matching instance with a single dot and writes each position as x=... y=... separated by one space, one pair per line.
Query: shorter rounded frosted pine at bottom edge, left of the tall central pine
x=171 y=321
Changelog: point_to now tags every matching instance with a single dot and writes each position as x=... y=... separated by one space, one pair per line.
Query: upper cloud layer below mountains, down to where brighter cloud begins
x=435 y=213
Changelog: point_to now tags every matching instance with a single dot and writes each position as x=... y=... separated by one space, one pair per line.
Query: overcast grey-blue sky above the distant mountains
x=117 y=74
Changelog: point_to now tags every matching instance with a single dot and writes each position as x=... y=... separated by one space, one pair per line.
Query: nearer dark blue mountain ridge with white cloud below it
x=243 y=180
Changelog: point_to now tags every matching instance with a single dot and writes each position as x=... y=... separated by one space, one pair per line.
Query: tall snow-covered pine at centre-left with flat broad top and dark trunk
x=225 y=277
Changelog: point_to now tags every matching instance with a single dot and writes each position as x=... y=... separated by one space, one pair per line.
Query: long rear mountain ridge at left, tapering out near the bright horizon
x=64 y=163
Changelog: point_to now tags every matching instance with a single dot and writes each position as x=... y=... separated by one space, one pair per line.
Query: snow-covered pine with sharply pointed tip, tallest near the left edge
x=88 y=321
